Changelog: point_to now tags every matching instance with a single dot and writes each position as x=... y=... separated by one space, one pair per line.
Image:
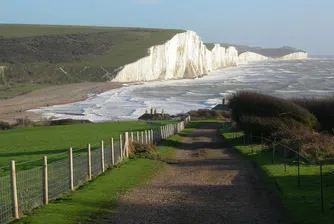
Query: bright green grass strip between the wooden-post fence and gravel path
x=101 y=195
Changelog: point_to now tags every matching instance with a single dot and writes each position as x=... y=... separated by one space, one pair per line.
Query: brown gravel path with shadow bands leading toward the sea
x=207 y=184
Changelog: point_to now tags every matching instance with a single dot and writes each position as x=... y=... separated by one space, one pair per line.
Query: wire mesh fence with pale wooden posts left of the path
x=21 y=192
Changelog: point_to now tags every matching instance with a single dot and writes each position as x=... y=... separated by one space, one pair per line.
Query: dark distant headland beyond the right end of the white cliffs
x=268 y=52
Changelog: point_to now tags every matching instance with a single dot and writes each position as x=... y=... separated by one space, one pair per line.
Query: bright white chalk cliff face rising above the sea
x=185 y=56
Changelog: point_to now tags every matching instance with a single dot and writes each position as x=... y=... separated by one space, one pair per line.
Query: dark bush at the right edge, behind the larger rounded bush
x=323 y=109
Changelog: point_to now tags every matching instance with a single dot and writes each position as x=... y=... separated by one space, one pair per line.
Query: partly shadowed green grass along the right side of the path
x=302 y=203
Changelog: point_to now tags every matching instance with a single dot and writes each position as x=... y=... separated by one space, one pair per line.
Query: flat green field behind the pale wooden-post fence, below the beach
x=31 y=144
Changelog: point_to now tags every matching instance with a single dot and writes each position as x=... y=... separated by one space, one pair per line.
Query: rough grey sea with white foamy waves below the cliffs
x=309 y=78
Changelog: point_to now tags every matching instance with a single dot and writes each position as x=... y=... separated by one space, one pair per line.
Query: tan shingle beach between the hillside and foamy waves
x=14 y=108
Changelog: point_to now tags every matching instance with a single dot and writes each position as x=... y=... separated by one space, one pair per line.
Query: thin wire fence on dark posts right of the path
x=311 y=179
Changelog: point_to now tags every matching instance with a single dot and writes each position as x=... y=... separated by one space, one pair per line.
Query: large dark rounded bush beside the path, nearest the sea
x=255 y=104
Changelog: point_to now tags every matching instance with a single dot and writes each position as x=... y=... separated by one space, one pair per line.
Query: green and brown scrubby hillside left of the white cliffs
x=33 y=56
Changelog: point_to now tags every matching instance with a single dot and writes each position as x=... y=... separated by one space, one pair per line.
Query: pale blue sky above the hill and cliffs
x=304 y=24
